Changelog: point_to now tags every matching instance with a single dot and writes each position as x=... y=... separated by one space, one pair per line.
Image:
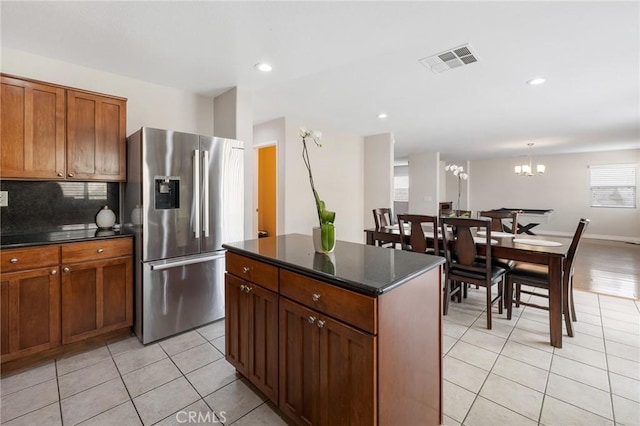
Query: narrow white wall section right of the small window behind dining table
x=424 y=183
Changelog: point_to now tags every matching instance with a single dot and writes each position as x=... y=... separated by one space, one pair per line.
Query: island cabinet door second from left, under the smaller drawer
x=263 y=340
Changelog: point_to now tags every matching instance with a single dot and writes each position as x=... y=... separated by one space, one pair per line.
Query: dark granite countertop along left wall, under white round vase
x=59 y=237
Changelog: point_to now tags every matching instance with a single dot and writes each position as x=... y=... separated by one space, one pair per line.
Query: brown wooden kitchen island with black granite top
x=350 y=338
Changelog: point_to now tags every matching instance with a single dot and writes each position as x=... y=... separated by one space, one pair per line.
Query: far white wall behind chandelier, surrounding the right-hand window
x=564 y=188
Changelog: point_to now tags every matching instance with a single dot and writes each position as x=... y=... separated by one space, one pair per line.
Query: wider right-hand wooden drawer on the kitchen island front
x=355 y=309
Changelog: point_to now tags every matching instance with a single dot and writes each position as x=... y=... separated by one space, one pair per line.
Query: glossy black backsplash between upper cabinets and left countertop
x=52 y=206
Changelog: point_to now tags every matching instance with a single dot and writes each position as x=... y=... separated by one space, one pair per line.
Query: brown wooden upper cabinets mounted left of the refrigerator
x=52 y=132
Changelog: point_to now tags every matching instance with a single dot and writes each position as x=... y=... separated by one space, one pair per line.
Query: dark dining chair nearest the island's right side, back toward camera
x=463 y=264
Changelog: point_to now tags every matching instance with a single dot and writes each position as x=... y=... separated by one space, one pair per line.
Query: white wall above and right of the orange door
x=268 y=132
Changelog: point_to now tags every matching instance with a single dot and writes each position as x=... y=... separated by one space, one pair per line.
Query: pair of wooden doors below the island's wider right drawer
x=327 y=369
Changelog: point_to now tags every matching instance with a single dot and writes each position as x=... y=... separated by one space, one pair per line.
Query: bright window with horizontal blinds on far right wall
x=613 y=185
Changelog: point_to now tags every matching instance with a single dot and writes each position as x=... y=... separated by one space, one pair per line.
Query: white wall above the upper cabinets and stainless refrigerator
x=148 y=104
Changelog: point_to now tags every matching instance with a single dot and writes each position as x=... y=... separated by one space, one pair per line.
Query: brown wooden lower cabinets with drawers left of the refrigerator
x=56 y=294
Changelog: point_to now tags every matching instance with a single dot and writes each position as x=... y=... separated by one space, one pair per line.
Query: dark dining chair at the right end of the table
x=538 y=276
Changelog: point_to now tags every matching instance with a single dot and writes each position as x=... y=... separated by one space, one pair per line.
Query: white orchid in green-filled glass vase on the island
x=324 y=236
